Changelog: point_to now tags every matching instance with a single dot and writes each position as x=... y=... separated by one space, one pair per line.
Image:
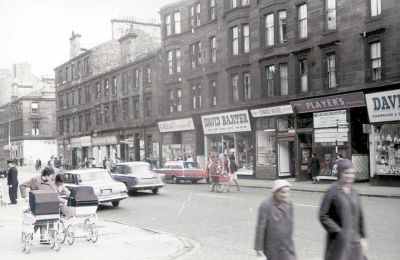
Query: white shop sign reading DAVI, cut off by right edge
x=383 y=106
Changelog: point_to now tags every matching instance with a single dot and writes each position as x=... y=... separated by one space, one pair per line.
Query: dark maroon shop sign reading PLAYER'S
x=329 y=103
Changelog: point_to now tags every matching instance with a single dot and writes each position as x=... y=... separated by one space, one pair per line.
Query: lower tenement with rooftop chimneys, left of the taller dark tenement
x=105 y=97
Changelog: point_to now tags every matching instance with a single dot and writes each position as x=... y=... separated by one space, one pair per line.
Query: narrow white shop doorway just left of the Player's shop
x=285 y=157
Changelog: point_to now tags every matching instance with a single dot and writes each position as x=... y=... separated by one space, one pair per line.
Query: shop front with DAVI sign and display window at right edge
x=384 y=133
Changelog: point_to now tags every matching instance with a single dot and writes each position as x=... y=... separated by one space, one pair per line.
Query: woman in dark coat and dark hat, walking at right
x=342 y=217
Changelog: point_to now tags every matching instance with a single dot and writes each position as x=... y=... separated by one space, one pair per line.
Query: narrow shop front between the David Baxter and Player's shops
x=275 y=138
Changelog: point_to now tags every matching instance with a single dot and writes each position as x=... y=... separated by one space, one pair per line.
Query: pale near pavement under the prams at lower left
x=116 y=240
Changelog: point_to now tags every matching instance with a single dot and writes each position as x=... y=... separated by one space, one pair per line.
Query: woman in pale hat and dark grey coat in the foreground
x=274 y=231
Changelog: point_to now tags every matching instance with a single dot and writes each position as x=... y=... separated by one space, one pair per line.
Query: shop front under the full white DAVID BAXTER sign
x=227 y=133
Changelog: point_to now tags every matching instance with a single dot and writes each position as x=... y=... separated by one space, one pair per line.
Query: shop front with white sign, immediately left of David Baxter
x=178 y=140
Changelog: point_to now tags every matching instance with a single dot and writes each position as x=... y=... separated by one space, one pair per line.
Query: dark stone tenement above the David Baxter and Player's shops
x=275 y=81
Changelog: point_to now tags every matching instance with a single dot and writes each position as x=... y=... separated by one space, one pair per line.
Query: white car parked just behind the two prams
x=105 y=187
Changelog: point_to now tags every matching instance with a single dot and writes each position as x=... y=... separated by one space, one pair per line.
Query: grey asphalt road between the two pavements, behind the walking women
x=223 y=224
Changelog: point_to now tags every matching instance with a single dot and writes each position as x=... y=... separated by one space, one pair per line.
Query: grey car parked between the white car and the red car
x=137 y=176
